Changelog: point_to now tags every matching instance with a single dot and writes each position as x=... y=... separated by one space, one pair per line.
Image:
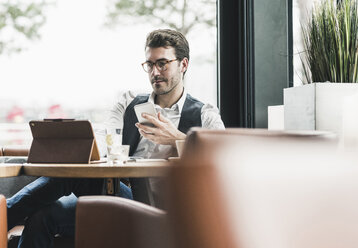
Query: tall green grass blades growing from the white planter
x=331 y=42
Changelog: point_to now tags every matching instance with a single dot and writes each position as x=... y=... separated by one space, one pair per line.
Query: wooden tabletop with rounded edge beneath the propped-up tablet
x=104 y=170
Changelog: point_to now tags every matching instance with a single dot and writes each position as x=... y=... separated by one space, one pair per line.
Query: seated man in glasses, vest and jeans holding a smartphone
x=167 y=60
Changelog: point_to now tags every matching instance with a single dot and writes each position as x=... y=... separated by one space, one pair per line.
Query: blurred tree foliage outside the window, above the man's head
x=181 y=15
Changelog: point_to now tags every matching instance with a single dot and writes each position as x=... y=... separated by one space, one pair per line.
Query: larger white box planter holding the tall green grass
x=316 y=106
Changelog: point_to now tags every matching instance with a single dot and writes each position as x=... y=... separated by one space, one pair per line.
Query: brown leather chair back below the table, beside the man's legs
x=107 y=221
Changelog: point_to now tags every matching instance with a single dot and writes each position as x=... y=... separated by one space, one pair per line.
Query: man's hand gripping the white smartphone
x=164 y=132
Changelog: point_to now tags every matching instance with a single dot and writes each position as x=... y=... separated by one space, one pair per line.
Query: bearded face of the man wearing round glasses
x=164 y=81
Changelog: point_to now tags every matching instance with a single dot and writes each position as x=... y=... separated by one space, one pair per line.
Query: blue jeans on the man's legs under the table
x=49 y=207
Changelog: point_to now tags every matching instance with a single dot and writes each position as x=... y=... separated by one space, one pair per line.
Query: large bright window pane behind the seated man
x=73 y=58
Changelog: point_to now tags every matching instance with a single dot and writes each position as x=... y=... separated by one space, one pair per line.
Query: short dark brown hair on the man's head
x=166 y=38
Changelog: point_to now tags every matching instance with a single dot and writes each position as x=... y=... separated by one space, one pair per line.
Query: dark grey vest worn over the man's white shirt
x=190 y=117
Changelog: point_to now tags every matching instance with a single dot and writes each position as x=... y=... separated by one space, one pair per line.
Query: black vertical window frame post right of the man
x=236 y=74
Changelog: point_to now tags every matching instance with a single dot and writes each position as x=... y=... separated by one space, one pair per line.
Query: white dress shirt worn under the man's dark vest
x=210 y=119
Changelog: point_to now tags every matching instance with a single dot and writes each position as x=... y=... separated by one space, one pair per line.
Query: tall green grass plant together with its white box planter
x=330 y=67
